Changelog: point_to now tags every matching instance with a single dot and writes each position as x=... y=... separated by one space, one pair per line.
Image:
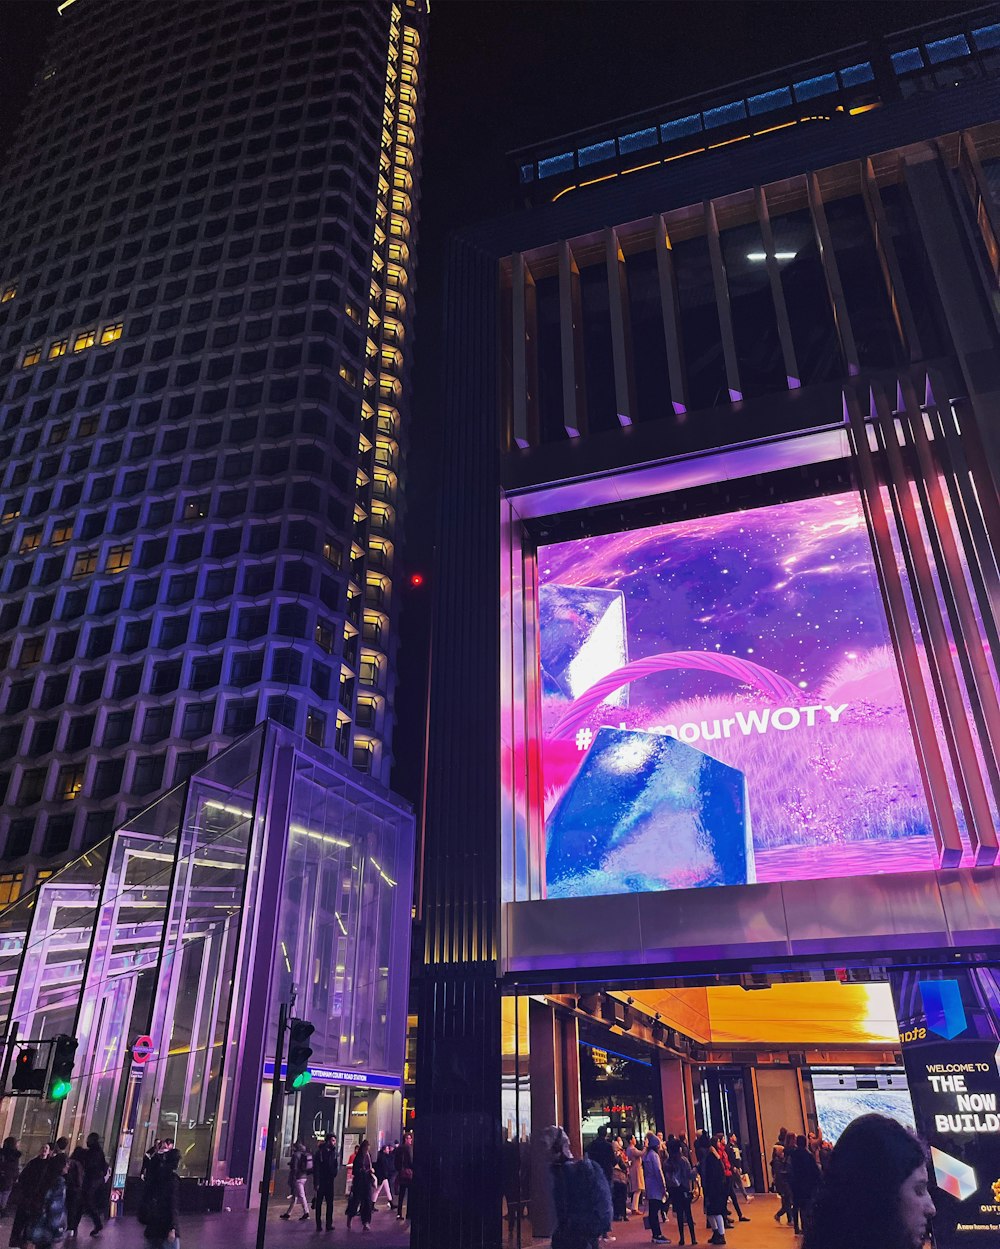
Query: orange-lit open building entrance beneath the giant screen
x=756 y=1057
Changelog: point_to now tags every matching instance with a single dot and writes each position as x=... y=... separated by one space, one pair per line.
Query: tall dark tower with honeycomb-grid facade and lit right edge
x=207 y=227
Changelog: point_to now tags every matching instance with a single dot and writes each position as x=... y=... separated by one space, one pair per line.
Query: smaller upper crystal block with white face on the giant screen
x=582 y=639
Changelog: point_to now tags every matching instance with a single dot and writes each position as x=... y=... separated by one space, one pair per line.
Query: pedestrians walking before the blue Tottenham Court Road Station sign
x=390 y=1176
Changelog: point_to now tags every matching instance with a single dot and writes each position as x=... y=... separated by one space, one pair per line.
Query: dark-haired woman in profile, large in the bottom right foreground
x=875 y=1195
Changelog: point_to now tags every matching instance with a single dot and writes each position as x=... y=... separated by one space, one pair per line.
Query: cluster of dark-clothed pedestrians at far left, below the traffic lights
x=52 y=1192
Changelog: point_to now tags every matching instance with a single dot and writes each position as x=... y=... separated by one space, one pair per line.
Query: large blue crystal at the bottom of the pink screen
x=646 y=812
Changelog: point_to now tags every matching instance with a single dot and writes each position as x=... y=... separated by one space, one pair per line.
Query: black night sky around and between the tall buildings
x=509 y=73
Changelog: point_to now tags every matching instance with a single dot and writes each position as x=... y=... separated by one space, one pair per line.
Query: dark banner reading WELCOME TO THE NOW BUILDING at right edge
x=952 y=1054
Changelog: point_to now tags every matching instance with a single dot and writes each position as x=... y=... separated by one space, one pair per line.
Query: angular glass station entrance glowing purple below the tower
x=274 y=875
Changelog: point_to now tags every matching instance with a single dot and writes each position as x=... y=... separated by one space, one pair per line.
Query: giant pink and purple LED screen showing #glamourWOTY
x=721 y=705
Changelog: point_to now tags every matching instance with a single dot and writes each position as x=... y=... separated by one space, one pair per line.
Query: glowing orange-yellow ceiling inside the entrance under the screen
x=825 y=1014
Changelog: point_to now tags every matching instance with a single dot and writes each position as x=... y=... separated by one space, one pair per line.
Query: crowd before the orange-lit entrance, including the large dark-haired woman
x=826 y=1191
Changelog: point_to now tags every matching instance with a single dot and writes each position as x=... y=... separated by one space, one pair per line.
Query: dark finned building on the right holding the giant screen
x=722 y=714
